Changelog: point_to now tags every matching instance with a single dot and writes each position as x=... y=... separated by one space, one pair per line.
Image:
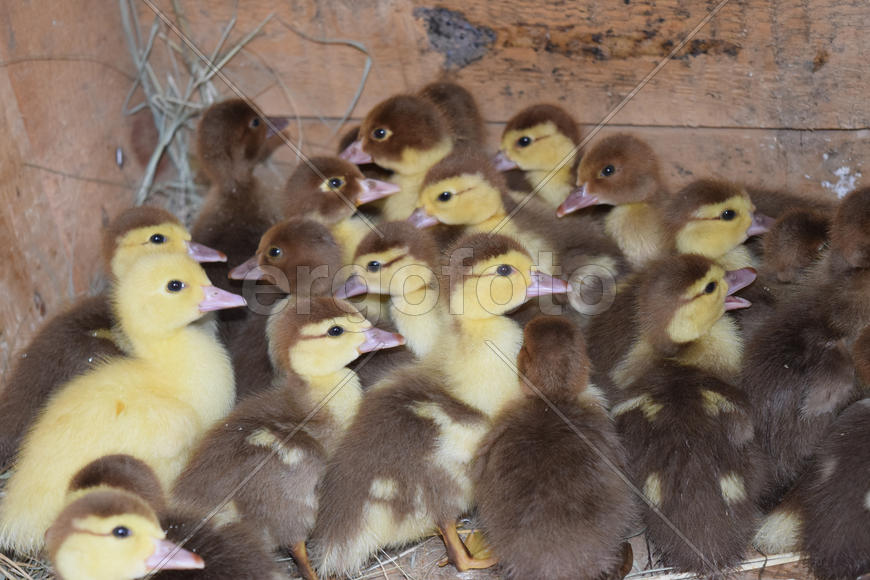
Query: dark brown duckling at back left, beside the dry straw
x=232 y=139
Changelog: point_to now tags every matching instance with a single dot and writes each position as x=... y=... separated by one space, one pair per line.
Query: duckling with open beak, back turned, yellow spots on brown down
x=688 y=433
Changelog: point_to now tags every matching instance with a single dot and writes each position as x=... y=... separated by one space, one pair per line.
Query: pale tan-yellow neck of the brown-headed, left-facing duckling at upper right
x=638 y=230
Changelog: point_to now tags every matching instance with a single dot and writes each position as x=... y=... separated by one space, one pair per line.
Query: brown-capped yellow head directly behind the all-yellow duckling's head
x=140 y=231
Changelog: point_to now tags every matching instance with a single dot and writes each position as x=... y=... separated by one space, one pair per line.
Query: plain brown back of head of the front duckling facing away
x=553 y=358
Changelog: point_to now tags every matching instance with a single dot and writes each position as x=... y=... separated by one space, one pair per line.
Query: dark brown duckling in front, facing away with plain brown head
x=550 y=497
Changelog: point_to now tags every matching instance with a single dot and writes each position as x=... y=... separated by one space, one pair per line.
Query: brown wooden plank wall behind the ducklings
x=773 y=93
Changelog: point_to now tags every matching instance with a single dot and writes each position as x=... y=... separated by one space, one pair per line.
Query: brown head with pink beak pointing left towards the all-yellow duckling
x=298 y=255
